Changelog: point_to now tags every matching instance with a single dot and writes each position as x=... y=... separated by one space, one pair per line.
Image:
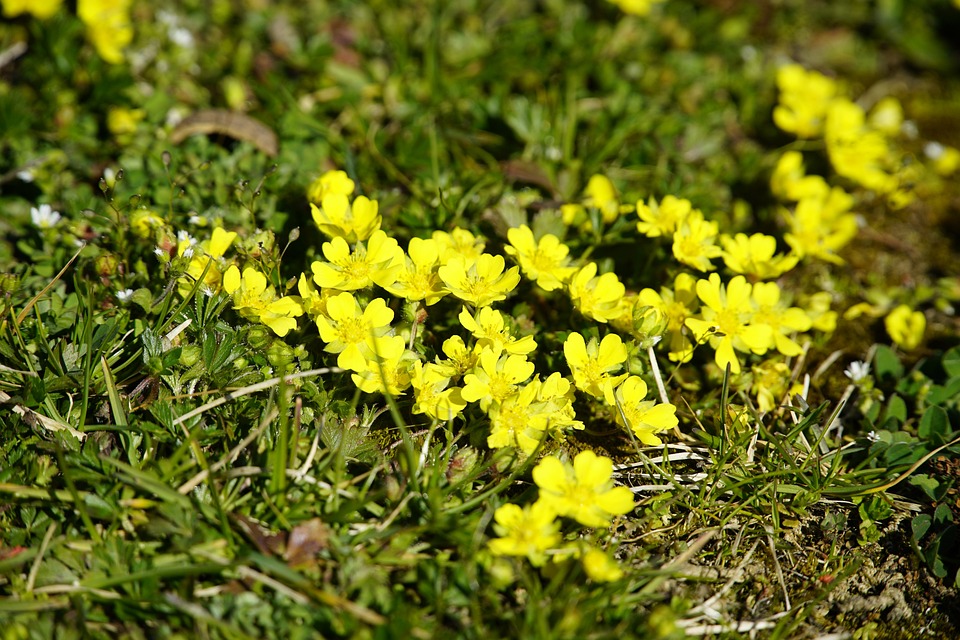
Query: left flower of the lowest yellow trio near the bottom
x=529 y=532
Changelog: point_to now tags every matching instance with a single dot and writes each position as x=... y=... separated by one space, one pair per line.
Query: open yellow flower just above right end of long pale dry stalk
x=356 y=333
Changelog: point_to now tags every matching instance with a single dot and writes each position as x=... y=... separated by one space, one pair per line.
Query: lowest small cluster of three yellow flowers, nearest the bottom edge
x=583 y=492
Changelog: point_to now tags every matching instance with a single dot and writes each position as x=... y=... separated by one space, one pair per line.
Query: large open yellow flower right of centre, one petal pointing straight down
x=727 y=318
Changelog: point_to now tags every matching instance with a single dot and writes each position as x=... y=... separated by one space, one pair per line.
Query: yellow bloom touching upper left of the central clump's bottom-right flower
x=592 y=364
